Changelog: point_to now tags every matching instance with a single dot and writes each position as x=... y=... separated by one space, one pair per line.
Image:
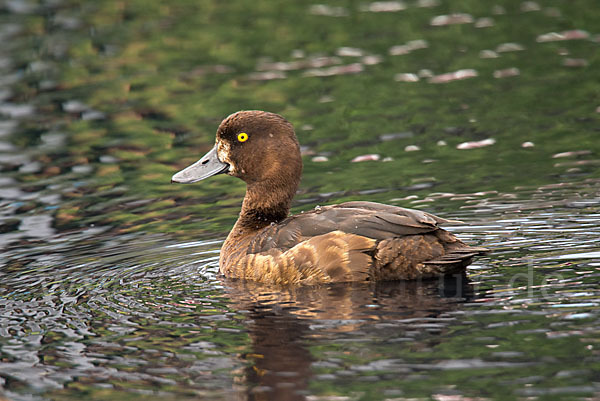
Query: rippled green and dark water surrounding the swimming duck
x=109 y=274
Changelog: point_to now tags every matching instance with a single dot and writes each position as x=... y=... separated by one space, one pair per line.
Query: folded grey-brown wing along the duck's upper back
x=367 y=219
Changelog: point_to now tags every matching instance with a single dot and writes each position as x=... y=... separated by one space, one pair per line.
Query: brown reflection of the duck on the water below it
x=285 y=323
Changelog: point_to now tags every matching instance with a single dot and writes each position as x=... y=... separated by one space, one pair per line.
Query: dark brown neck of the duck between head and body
x=264 y=203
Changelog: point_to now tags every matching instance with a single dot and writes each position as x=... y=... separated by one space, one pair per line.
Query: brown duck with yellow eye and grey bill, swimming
x=354 y=241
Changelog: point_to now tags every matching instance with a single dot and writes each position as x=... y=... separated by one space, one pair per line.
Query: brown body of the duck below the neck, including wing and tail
x=352 y=241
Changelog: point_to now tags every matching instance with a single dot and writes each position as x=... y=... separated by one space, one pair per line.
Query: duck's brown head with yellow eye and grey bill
x=256 y=146
